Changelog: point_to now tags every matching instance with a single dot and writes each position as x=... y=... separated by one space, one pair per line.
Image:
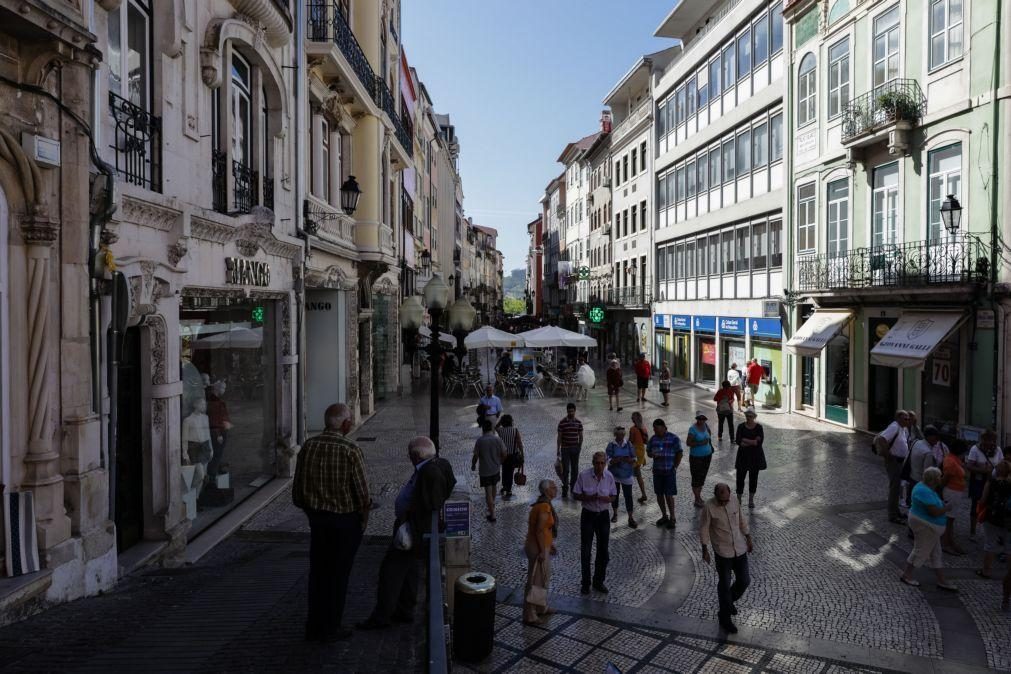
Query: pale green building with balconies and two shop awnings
x=897 y=307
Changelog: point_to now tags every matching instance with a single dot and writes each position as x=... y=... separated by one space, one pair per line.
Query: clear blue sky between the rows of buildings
x=520 y=79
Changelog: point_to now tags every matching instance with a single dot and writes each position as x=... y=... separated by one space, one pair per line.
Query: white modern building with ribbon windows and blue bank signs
x=720 y=176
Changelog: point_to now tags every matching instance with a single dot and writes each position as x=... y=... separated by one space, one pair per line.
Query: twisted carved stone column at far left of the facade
x=42 y=463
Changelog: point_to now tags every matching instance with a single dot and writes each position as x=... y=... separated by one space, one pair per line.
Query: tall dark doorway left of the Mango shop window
x=130 y=444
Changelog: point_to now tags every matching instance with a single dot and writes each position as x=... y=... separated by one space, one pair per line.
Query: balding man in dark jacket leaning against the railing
x=424 y=494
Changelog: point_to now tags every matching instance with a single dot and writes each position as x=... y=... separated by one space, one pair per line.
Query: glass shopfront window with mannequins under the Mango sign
x=229 y=410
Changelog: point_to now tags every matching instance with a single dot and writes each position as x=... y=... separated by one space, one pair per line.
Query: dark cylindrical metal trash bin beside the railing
x=475 y=617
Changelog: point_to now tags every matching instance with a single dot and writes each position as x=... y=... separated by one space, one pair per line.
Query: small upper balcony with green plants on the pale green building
x=895 y=106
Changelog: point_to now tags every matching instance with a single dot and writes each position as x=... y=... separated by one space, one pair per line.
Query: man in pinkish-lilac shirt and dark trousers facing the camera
x=596 y=489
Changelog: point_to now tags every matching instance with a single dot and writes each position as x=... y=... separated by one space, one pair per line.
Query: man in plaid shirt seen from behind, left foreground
x=330 y=486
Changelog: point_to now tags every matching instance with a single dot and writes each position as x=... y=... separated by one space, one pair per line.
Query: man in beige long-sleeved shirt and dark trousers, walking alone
x=723 y=528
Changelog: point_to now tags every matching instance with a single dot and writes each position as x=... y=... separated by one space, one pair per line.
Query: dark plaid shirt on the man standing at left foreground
x=330 y=475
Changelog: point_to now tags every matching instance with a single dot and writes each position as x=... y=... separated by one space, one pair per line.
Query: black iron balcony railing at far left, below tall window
x=138 y=144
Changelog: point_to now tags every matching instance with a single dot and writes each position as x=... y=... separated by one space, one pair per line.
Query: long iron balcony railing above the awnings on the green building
x=959 y=259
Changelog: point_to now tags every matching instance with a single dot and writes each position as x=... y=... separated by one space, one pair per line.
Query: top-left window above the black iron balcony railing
x=130 y=65
